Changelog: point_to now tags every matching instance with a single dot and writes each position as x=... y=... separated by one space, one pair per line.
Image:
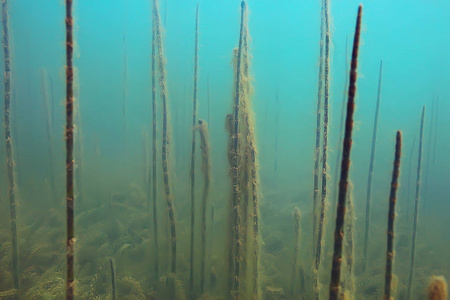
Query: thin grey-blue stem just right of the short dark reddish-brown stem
x=416 y=206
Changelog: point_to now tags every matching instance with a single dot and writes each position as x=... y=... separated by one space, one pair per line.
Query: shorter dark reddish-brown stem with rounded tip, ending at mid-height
x=391 y=217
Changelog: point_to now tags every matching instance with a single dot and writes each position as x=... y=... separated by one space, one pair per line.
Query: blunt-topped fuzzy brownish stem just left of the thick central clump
x=206 y=170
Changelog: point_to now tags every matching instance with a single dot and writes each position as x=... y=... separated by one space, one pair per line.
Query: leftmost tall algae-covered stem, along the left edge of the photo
x=9 y=148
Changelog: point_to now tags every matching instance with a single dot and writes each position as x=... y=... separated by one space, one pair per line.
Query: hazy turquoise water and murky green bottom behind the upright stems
x=113 y=148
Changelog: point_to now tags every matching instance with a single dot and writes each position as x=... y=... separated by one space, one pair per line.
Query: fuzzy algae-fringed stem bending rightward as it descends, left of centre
x=165 y=137
